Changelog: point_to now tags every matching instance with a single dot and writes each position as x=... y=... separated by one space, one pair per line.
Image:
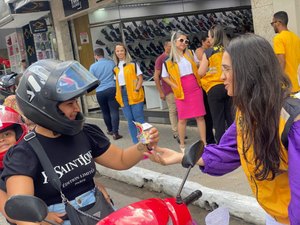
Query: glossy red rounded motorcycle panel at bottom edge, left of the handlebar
x=152 y=211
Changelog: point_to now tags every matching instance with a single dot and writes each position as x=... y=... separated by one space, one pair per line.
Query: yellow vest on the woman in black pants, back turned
x=213 y=75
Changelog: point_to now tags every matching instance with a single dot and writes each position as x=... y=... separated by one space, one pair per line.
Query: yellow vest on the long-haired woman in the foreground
x=273 y=195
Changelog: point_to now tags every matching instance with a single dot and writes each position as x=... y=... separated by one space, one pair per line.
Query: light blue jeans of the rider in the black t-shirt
x=80 y=201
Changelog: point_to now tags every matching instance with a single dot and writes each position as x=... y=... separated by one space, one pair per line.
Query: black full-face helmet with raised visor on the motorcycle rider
x=45 y=84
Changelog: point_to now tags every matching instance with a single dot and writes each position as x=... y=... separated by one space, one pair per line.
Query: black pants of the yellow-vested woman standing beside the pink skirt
x=220 y=105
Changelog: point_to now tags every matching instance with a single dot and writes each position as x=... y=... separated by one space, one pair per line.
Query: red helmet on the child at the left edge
x=10 y=119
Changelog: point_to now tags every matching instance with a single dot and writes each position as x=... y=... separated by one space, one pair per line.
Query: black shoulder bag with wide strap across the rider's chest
x=87 y=215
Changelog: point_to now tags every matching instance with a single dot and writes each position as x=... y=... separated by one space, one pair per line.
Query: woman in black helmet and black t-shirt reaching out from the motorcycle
x=48 y=94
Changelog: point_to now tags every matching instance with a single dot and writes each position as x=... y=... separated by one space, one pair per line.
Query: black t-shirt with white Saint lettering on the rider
x=71 y=157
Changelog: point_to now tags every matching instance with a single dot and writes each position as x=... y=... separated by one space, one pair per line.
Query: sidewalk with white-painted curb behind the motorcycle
x=231 y=190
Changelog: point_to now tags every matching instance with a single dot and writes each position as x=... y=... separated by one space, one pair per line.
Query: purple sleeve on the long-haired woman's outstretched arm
x=224 y=157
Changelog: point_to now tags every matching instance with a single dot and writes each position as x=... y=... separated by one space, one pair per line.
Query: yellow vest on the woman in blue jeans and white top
x=131 y=80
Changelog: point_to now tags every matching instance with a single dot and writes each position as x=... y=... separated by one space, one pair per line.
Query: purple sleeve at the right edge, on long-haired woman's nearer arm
x=294 y=172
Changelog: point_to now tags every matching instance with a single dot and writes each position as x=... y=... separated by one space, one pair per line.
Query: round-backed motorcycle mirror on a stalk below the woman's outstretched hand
x=192 y=154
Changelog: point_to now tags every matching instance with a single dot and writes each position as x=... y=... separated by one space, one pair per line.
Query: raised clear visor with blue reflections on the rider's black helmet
x=74 y=79
